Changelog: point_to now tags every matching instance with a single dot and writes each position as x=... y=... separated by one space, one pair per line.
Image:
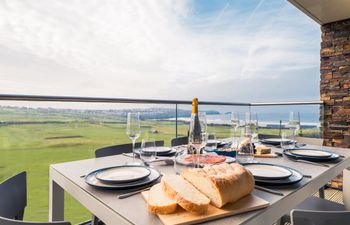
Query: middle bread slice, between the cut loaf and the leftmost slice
x=187 y=196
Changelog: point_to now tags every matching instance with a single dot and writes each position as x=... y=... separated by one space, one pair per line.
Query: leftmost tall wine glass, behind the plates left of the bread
x=133 y=130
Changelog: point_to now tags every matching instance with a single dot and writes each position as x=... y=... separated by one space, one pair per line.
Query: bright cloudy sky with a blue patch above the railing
x=217 y=50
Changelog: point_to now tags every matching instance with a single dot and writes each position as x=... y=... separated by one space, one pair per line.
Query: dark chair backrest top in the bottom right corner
x=309 y=217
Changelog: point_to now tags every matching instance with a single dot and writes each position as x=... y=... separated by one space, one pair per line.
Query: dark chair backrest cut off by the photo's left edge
x=13 y=196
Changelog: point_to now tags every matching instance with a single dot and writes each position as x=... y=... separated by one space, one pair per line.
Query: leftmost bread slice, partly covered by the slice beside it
x=159 y=202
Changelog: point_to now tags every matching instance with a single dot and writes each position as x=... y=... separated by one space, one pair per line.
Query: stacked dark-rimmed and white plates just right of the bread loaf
x=274 y=175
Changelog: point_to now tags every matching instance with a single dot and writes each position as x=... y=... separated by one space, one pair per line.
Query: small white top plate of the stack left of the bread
x=123 y=174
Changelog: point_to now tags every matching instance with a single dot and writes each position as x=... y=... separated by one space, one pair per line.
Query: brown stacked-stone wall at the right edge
x=335 y=83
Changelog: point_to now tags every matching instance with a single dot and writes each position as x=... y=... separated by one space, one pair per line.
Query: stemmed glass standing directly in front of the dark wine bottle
x=197 y=135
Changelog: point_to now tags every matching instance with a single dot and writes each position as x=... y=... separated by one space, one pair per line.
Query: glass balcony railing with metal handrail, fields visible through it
x=32 y=138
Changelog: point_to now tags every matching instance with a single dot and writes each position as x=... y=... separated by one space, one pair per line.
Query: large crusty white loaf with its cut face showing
x=221 y=183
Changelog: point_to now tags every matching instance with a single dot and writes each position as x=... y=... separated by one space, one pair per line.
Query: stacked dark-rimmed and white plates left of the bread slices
x=122 y=177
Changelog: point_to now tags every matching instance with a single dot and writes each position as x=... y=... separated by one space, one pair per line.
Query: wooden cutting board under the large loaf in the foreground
x=182 y=217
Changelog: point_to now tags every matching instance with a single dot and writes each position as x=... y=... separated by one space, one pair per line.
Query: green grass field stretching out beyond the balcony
x=33 y=147
